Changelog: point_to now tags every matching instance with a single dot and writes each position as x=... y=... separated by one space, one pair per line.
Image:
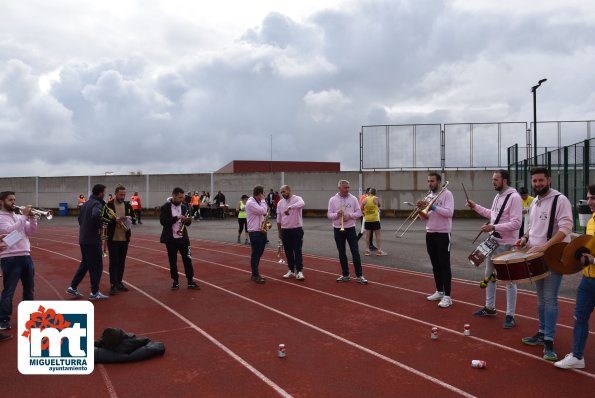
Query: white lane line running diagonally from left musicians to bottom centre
x=216 y=342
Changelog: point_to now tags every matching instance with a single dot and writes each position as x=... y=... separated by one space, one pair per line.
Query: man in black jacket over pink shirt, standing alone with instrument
x=175 y=217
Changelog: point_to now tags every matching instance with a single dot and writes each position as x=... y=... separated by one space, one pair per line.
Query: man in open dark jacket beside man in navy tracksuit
x=118 y=215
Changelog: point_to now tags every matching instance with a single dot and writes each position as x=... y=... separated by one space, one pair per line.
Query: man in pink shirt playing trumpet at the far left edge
x=15 y=259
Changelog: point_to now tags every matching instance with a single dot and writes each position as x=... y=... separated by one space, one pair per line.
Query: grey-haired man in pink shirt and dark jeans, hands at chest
x=343 y=210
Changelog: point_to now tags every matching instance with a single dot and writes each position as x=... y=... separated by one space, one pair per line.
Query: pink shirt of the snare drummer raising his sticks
x=509 y=224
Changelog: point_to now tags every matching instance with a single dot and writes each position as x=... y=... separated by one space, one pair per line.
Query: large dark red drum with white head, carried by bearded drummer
x=520 y=267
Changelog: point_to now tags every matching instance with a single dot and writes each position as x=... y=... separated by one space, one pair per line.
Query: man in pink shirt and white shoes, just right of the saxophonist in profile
x=291 y=231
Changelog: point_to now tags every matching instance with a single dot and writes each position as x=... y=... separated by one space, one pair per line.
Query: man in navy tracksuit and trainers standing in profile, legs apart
x=90 y=222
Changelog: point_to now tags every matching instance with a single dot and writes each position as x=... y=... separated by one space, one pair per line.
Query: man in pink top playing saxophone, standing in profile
x=256 y=209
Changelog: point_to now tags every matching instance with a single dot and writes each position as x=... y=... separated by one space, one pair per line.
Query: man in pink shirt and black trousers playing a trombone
x=438 y=228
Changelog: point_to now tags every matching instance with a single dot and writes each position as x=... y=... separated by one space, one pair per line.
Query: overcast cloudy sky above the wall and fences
x=186 y=86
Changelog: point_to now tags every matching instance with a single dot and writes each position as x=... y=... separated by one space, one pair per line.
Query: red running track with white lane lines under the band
x=343 y=340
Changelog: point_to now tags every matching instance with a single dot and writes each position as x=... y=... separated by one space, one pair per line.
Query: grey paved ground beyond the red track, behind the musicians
x=408 y=252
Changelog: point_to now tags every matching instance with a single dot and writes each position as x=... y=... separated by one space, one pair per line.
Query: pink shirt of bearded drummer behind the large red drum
x=539 y=214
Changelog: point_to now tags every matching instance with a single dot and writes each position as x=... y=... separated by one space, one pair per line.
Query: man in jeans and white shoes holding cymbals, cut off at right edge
x=585 y=300
